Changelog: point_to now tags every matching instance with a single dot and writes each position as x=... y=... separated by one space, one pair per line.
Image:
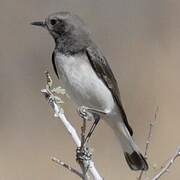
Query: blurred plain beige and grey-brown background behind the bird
x=141 y=40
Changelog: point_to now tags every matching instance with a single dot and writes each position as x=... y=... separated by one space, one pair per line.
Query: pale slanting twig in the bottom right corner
x=168 y=165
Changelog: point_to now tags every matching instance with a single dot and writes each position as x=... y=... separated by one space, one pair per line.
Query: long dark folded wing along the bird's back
x=104 y=72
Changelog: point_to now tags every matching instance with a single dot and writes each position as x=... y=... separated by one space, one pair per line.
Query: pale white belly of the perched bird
x=82 y=83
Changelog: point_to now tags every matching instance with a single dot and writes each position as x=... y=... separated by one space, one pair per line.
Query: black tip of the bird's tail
x=136 y=161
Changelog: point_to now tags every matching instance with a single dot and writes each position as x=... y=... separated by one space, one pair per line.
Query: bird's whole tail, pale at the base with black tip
x=132 y=154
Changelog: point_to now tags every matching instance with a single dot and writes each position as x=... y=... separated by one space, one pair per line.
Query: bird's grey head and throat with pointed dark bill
x=68 y=30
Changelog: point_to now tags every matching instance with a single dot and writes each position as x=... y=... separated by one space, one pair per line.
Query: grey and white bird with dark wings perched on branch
x=88 y=78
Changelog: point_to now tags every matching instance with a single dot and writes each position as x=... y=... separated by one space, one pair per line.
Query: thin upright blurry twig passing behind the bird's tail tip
x=151 y=125
